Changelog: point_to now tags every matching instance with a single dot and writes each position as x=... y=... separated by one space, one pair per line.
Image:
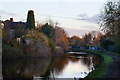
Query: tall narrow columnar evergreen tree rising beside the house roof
x=30 y=24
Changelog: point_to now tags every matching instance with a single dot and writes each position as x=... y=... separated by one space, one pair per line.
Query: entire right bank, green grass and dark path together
x=108 y=69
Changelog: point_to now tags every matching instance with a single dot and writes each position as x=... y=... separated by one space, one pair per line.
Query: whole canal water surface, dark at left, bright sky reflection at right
x=67 y=66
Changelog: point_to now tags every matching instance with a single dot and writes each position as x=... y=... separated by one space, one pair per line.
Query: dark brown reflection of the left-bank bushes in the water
x=25 y=68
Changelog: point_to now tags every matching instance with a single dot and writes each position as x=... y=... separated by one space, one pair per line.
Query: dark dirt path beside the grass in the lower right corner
x=114 y=68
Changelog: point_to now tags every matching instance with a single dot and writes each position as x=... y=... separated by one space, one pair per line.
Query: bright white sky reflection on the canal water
x=76 y=66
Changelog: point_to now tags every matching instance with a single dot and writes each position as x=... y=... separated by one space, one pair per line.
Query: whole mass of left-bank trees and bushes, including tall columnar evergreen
x=31 y=42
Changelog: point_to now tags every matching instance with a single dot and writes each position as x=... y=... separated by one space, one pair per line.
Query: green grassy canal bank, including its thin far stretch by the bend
x=101 y=69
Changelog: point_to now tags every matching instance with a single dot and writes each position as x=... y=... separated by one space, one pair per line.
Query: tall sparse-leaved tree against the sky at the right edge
x=110 y=22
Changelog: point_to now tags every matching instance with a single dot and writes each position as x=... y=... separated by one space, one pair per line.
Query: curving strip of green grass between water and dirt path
x=102 y=69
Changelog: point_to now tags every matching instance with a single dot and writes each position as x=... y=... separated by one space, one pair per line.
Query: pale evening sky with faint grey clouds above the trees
x=77 y=17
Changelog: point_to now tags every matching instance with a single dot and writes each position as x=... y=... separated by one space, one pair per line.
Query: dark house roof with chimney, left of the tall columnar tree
x=12 y=25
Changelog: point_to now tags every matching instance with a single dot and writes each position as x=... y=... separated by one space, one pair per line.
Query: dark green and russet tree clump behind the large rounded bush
x=55 y=34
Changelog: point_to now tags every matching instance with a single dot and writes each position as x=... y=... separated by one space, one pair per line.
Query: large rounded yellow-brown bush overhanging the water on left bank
x=38 y=45
